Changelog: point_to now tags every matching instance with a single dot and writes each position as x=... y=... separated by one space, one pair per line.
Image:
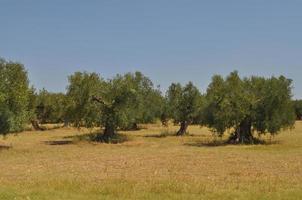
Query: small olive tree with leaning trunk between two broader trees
x=184 y=105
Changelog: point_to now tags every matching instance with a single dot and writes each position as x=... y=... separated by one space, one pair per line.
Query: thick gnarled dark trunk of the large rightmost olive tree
x=243 y=133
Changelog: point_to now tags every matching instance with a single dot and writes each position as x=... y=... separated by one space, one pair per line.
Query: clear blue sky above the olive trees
x=168 y=40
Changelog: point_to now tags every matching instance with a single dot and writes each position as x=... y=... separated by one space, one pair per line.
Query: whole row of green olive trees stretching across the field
x=244 y=106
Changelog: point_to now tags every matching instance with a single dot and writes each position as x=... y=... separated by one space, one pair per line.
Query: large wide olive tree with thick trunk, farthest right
x=246 y=106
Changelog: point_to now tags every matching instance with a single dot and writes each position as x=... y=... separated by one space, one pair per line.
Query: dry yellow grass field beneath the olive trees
x=55 y=164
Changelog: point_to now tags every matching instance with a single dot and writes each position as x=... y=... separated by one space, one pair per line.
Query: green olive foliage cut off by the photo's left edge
x=14 y=97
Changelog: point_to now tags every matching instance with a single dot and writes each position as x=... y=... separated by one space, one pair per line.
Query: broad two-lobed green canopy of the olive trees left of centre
x=120 y=102
